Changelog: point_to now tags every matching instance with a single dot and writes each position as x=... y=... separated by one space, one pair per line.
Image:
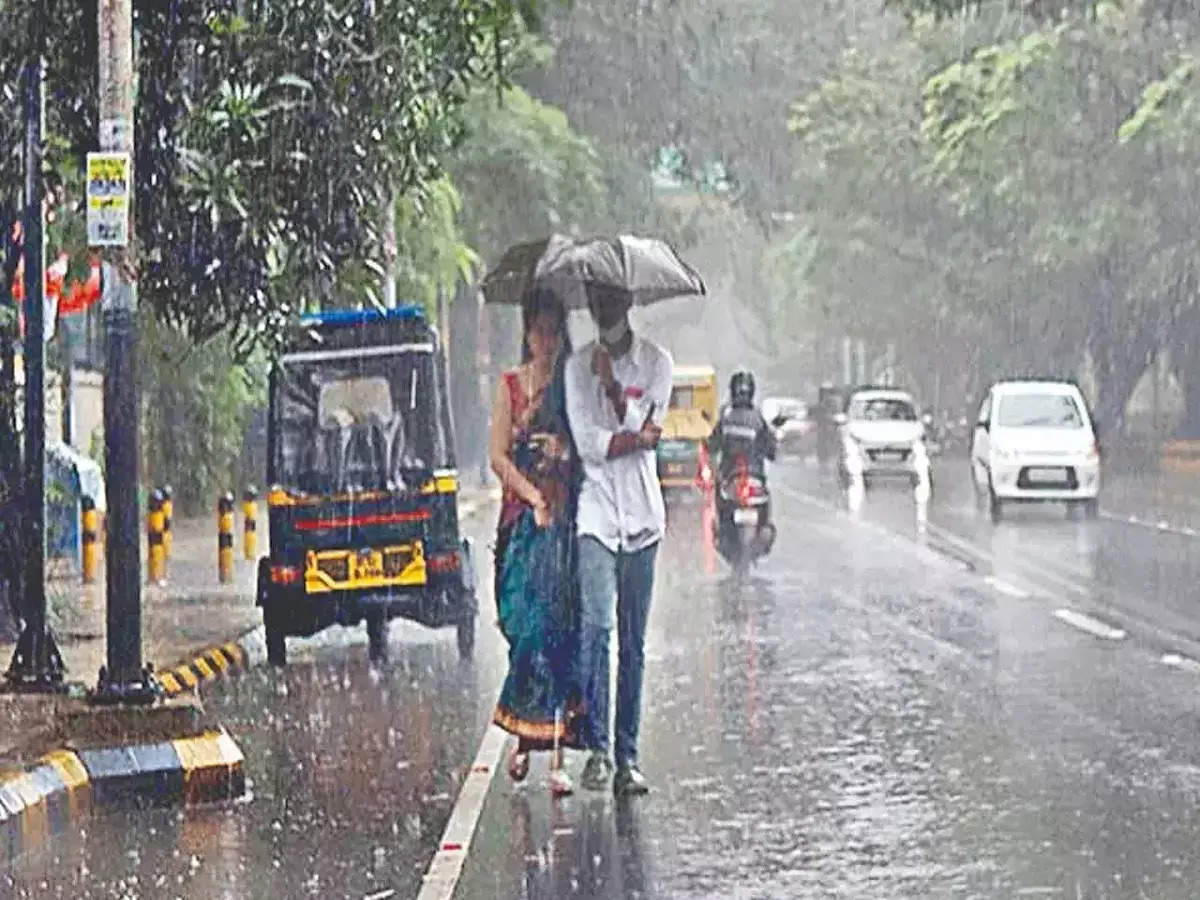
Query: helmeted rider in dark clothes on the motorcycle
x=741 y=435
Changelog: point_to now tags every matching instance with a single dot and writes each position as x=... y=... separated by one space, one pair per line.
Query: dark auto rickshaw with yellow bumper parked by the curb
x=363 y=508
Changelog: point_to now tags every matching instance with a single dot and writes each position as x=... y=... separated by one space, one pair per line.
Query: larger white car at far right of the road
x=1036 y=441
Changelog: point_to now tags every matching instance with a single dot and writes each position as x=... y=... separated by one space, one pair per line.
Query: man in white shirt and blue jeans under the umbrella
x=617 y=395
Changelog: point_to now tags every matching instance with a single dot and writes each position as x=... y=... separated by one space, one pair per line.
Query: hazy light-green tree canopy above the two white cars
x=998 y=209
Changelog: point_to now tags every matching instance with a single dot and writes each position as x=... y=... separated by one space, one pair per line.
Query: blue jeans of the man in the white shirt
x=609 y=583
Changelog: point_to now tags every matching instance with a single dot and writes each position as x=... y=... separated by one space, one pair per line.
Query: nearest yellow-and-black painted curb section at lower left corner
x=68 y=785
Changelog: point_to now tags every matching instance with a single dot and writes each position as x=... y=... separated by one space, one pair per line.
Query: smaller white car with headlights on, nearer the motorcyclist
x=883 y=437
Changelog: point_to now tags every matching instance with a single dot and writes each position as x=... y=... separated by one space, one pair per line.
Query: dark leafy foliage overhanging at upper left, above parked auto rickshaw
x=267 y=140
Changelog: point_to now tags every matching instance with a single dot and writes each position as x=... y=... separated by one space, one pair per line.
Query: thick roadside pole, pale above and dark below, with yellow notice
x=124 y=679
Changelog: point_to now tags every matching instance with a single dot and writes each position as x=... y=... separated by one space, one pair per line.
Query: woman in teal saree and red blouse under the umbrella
x=532 y=454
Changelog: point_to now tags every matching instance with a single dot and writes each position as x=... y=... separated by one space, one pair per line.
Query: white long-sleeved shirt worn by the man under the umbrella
x=621 y=500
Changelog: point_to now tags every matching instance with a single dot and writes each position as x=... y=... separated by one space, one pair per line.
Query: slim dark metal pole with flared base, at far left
x=37 y=664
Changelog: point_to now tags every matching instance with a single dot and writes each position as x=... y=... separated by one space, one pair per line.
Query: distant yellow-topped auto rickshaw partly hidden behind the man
x=691 y=419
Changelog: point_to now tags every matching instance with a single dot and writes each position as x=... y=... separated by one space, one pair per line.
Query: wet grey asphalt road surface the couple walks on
x=890 y=709
